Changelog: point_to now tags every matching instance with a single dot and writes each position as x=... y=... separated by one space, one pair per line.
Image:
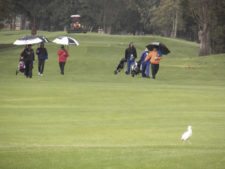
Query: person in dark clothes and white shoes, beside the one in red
x=42 y=56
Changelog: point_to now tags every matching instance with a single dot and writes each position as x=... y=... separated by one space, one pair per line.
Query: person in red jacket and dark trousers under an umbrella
x=62 y=57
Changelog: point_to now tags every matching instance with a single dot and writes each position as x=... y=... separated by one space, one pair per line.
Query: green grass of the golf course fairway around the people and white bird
x=91 y=119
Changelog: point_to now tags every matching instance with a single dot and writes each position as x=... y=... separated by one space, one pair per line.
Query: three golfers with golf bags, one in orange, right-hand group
x=148 y=60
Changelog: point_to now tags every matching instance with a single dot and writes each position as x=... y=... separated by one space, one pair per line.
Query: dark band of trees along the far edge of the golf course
x=196 y=20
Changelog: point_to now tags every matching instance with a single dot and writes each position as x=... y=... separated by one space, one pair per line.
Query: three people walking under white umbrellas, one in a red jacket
x=28 y=57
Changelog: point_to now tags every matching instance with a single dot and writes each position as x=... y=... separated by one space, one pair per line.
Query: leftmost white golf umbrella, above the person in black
x=28 y=40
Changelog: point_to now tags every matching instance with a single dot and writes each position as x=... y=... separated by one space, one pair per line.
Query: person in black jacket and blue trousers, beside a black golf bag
x=130 y=56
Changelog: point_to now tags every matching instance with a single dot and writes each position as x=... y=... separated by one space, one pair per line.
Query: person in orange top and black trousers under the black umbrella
x=154 y=59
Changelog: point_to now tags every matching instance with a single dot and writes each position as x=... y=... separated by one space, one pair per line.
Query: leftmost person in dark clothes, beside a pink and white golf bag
x=28 y=56
